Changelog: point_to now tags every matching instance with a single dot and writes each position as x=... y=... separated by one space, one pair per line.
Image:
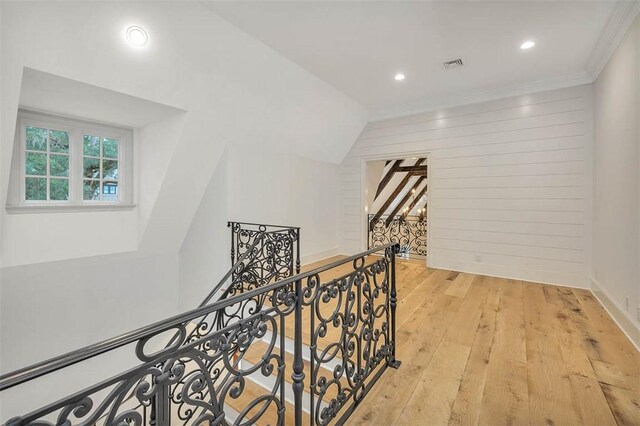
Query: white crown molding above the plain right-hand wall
x=621 y=19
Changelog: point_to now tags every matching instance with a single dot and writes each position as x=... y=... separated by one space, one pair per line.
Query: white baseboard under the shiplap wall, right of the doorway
x=563 y=279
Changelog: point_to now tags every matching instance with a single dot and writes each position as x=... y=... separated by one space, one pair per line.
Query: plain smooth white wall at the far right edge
x=616 y=222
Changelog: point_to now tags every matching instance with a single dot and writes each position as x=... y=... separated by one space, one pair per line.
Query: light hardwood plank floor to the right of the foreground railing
x=492 y=351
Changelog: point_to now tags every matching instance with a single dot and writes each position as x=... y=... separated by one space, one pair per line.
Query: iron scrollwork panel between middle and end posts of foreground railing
x=352 y=328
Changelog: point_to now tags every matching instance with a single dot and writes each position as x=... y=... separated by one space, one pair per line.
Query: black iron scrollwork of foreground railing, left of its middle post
x=190 y=382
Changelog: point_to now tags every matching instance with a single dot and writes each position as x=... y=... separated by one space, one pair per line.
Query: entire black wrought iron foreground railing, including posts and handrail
x=194 y=377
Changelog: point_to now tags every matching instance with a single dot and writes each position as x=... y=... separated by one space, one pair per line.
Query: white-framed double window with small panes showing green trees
x=63 y=163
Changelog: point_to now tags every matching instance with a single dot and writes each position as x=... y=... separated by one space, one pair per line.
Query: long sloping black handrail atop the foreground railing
x=39 y=369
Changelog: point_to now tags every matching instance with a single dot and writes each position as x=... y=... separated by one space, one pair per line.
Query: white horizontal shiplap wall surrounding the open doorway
x=510 y=184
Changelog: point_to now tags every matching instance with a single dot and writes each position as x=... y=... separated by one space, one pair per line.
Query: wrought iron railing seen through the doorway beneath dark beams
x=410 y=232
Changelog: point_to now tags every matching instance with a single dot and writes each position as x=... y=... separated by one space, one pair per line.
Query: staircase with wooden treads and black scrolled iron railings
x=268 y=346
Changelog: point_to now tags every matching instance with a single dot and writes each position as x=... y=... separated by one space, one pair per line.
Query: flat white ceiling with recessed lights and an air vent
x=359 y=46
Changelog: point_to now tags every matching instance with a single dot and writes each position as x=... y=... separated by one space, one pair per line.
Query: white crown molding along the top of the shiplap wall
x=476 y=97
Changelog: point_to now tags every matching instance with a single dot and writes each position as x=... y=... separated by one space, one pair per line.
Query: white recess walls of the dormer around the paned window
x=90 y=233
